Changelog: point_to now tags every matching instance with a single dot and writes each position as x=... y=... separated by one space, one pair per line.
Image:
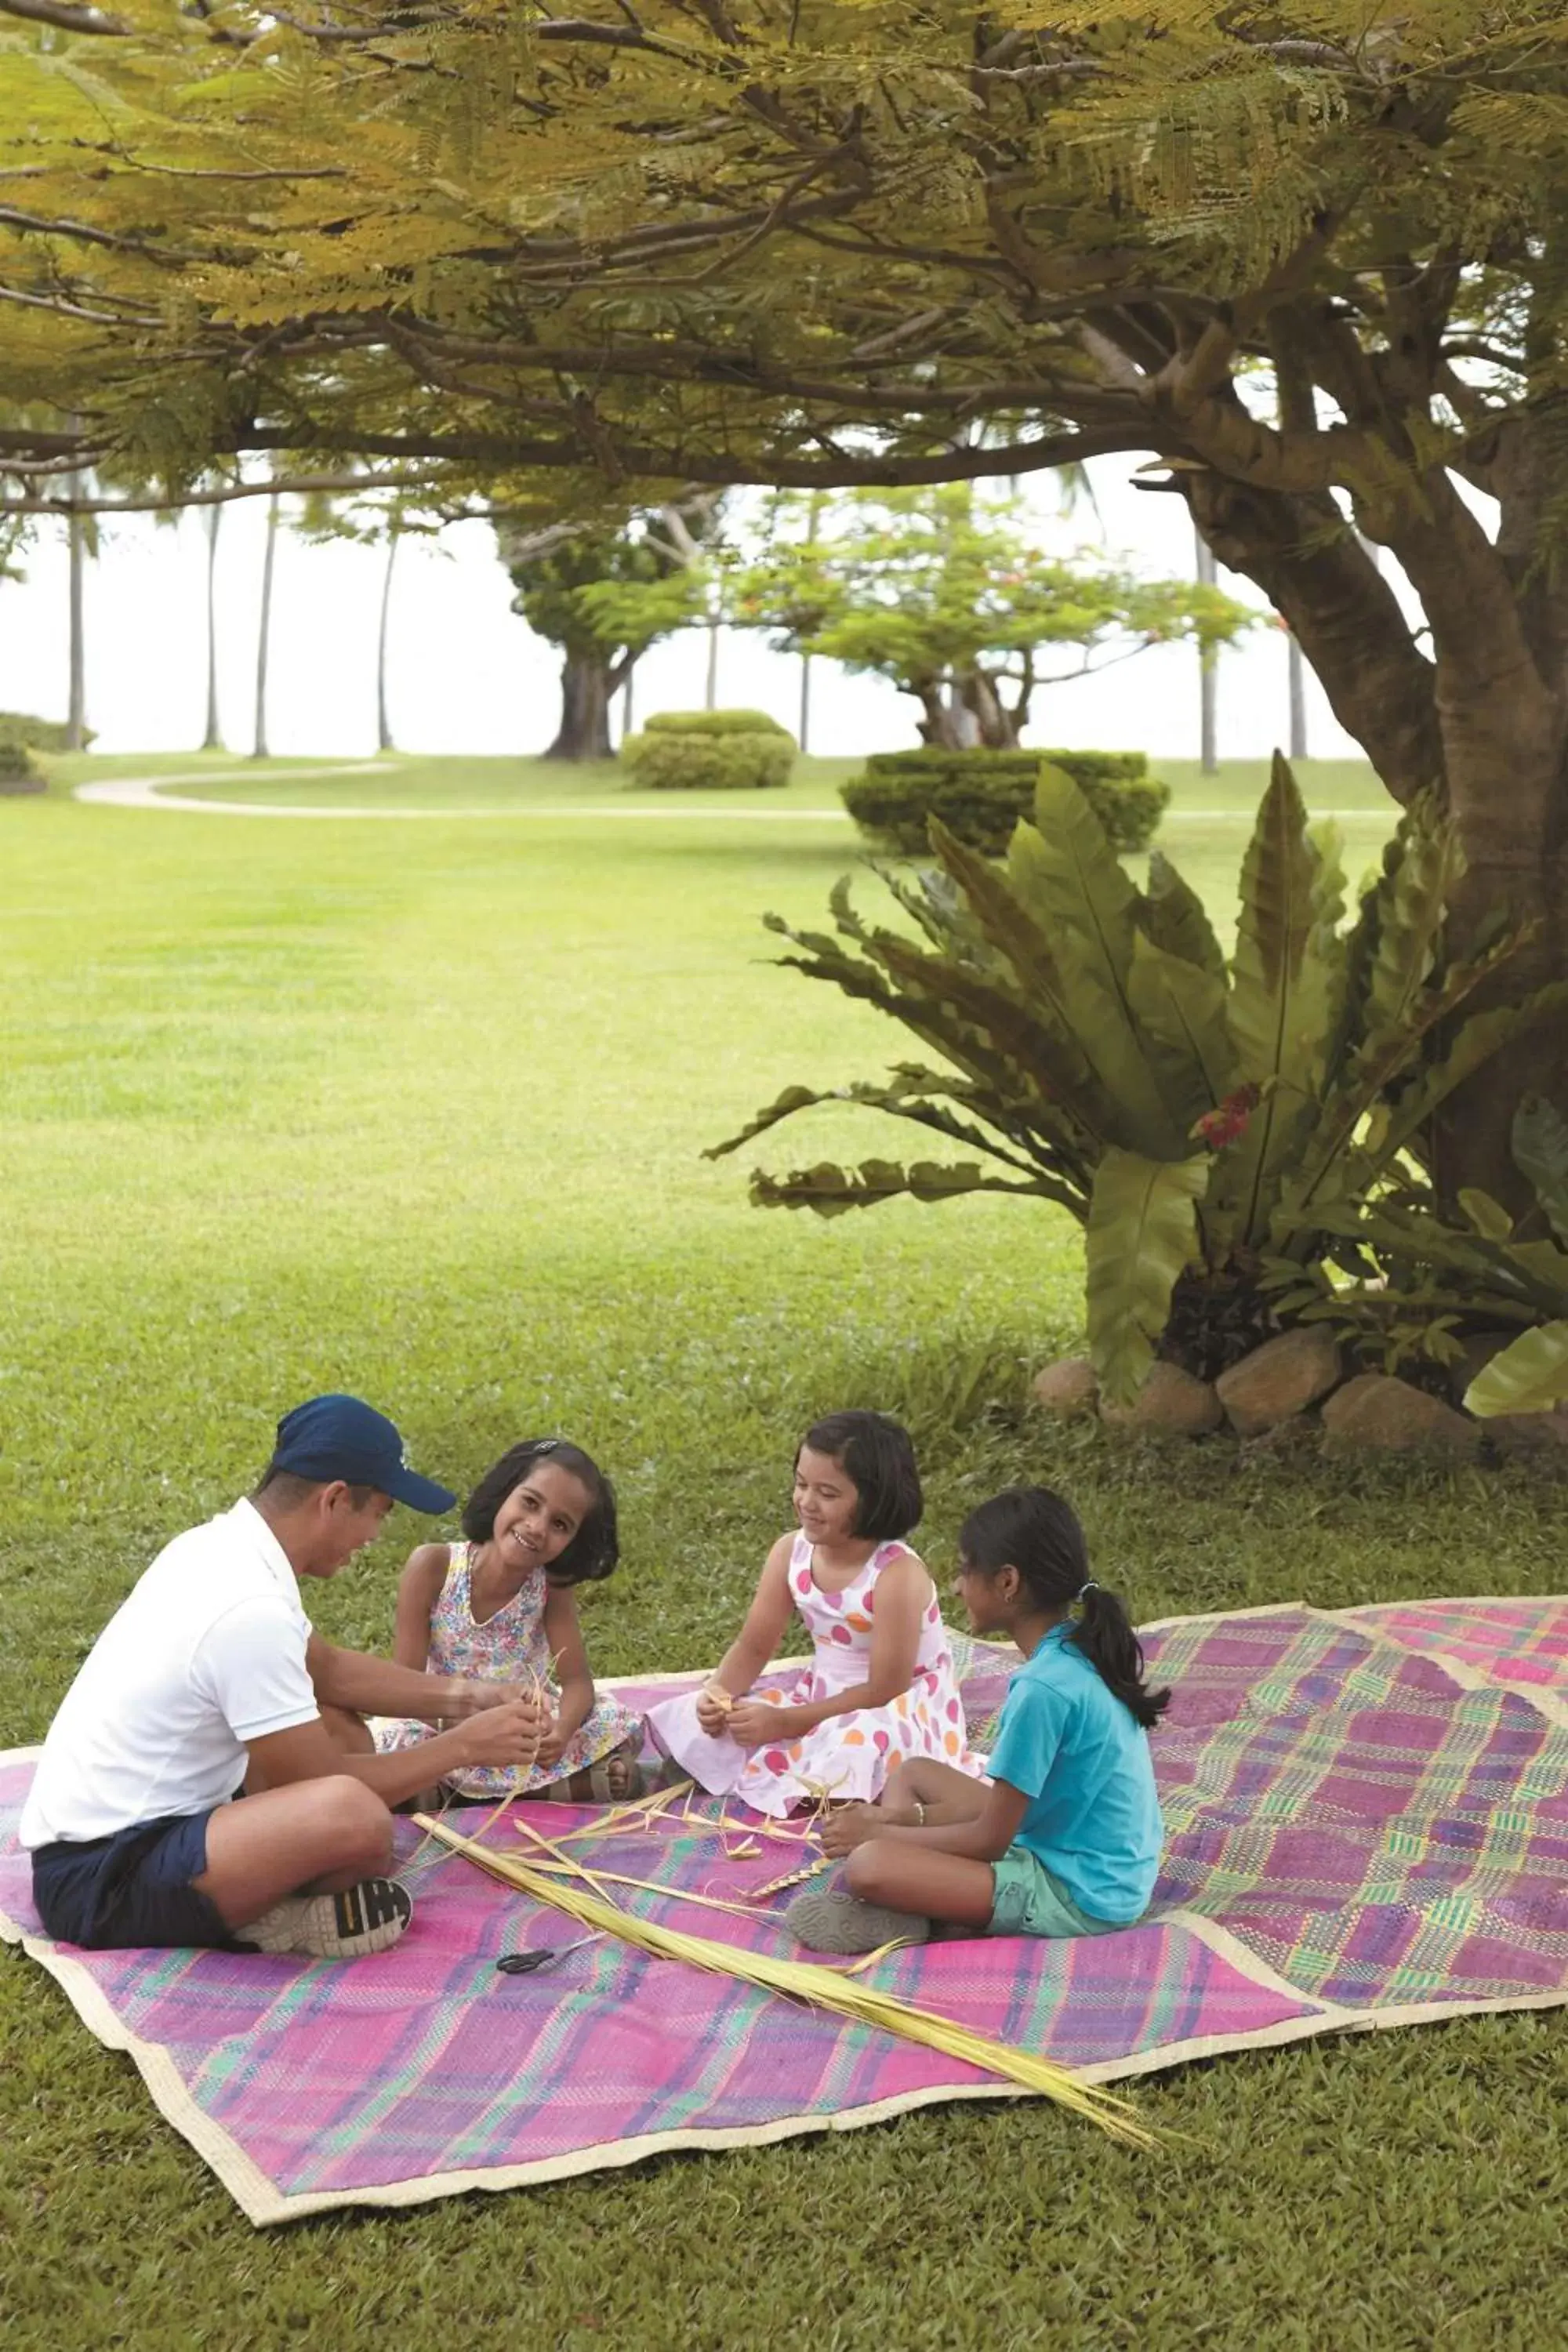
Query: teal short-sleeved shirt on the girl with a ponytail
x=1085 y=1765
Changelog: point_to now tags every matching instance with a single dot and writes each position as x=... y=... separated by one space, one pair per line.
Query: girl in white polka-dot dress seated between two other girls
x=880 y=1685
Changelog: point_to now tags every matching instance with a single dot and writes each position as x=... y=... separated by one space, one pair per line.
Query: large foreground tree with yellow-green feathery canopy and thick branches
x=1301 y=255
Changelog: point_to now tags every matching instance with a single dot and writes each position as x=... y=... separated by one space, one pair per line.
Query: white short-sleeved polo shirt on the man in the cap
x=203 y=1657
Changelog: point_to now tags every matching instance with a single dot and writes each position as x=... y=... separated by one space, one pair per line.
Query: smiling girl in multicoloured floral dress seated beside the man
x=500 y=1610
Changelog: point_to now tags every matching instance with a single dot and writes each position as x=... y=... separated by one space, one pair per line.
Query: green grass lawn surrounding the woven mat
x=420 y=1111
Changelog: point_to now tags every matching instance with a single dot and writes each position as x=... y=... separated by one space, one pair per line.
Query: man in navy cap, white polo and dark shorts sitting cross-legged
x=210 y=1676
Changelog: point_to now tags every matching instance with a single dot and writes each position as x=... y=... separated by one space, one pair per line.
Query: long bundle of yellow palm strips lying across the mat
x=822 y=1989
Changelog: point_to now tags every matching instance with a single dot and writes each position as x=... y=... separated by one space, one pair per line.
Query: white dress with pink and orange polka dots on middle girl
x=850 y=1756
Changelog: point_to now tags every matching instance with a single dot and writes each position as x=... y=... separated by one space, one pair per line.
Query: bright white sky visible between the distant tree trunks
x=467 y=674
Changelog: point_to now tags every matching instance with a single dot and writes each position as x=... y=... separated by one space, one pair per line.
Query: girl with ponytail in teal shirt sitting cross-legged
x=1064 y=1838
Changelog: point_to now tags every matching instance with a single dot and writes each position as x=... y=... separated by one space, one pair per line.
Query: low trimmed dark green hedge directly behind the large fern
x=981 y=796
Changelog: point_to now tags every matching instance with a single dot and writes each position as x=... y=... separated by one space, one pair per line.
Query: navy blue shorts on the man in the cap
x=133 y=1887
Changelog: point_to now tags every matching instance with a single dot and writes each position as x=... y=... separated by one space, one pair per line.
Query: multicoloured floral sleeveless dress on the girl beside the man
x=507 y=1648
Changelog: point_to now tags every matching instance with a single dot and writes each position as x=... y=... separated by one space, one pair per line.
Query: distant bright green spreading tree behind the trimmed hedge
x=946 y=594
